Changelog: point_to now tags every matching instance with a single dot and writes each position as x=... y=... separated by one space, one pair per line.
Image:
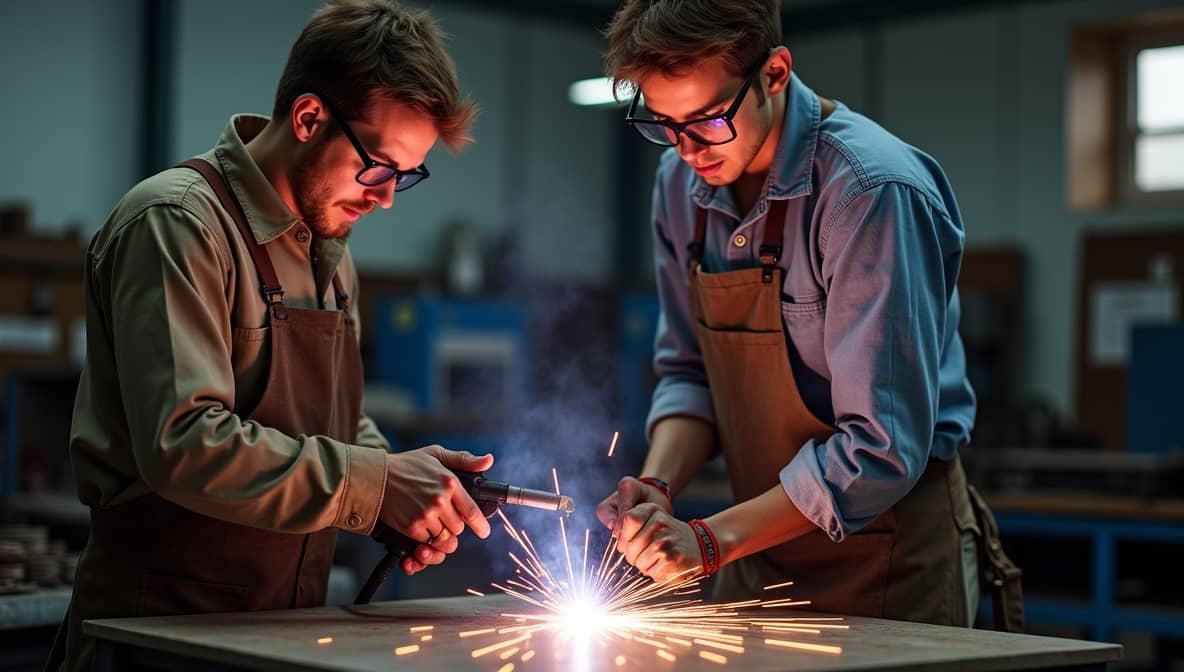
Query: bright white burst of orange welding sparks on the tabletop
x=613 y=604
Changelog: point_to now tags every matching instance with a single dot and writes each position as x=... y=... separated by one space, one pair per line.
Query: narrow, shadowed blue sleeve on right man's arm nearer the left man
x=683 y=383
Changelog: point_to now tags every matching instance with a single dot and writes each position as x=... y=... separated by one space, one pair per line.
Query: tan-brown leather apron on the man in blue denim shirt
x=906 y=565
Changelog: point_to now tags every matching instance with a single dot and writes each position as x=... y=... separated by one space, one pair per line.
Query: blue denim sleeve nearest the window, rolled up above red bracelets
x=891 y=262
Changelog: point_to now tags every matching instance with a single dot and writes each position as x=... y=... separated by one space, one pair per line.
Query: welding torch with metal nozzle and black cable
x=490 y=496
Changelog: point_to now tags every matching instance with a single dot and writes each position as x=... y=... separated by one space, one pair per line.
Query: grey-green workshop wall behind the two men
x=983 y=92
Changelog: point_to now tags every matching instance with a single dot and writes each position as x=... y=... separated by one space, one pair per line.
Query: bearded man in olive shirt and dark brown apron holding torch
x=218 y=435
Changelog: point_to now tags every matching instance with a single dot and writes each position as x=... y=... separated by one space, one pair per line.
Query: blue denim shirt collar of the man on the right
x=793 y=171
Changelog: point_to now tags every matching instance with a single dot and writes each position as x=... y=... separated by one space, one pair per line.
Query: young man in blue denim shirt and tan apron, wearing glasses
x=807 y=264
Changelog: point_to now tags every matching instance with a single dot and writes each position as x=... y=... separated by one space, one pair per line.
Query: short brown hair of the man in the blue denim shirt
x=671 y=37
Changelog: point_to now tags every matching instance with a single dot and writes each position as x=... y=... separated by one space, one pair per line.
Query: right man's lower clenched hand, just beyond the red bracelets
x=657 y=544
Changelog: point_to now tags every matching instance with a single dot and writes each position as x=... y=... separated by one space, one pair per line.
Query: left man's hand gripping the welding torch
x=426 y=501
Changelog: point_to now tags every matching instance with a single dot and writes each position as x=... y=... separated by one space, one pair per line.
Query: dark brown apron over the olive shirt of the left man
x=153 y=558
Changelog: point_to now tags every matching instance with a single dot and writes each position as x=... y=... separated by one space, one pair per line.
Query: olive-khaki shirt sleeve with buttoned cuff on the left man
x=164 y=280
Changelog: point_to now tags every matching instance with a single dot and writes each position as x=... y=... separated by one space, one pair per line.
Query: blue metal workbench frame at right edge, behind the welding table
x=1101 y=615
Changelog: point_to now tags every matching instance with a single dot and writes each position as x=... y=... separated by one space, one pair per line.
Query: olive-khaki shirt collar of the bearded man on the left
x=267 y=215
